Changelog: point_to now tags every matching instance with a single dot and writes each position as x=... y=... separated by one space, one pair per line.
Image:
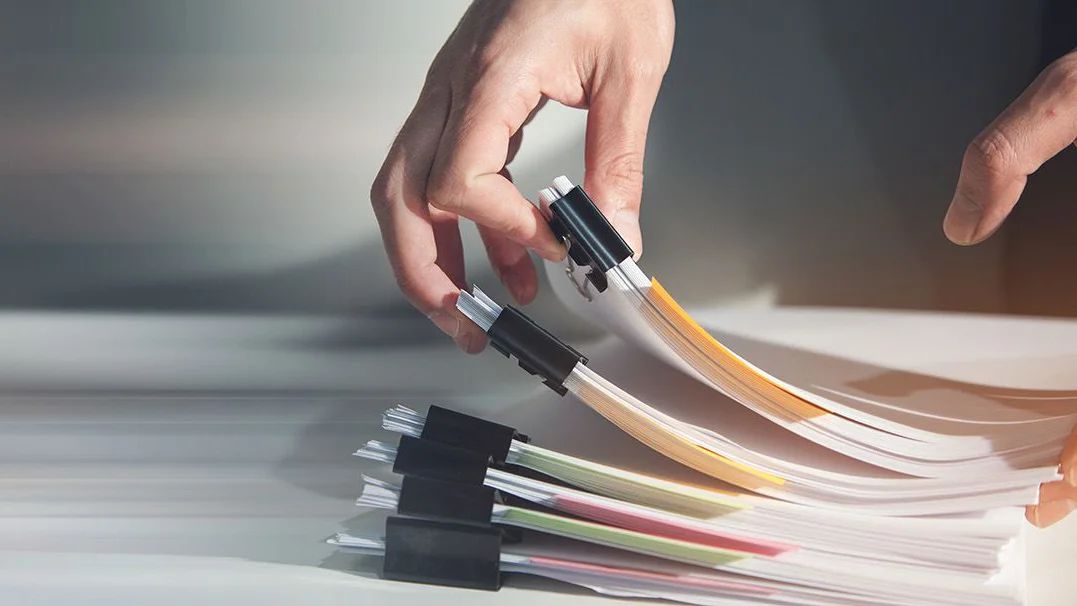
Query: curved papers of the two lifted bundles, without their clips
x=901 y=461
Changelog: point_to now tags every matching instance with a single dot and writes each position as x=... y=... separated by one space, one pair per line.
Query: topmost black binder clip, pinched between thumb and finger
x=593 y=242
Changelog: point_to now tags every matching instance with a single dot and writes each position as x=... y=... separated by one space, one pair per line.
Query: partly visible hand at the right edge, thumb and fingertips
x=1039 y=125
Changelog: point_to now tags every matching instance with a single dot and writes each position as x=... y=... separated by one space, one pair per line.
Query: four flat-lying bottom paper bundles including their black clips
x=630 y=534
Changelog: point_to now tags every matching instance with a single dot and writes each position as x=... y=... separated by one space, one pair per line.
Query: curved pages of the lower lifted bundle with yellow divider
x=831 y=481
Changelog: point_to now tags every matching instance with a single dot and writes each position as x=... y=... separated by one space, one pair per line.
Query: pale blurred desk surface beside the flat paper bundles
x=164 y=460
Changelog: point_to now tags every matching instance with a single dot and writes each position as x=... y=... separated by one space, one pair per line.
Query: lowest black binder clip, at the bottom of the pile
x=445 y=554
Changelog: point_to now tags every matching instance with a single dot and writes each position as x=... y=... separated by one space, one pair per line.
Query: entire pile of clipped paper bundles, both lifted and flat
x=876 y=502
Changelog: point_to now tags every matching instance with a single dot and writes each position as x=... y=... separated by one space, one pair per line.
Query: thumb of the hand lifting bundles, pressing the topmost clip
x=618 y=120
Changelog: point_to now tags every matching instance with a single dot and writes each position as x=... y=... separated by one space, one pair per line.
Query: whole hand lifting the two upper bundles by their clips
x=499 y=66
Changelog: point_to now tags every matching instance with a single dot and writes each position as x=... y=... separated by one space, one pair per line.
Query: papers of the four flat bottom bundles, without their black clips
x=625 y=533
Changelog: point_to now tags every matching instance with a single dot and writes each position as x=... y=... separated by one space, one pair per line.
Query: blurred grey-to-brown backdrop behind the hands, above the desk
x=205 y=157
